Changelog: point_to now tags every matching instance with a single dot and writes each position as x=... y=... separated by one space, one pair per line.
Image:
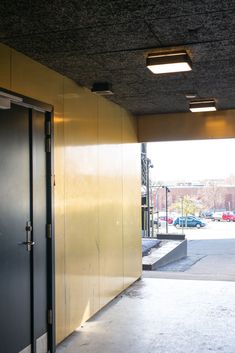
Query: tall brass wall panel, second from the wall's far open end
x=110 y=200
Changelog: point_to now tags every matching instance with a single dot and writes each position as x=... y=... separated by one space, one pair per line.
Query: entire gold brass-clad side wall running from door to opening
x=97 y=192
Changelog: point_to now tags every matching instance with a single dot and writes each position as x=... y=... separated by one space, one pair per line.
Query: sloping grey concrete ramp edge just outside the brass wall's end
x=168 y=251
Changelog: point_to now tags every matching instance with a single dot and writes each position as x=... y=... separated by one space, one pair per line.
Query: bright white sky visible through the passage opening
x=192 y=160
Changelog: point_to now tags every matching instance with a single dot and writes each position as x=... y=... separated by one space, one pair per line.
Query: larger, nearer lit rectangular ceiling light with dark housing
x=169 y=62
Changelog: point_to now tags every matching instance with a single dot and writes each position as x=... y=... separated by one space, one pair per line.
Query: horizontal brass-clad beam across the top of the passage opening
x=186 y=126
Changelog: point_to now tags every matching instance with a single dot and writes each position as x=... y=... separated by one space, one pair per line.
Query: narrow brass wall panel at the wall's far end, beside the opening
x=132 y=246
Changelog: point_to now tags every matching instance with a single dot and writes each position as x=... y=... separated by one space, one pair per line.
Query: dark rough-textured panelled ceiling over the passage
x=91 y=41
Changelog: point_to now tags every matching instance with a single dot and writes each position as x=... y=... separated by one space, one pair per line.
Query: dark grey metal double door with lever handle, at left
x=23 y=289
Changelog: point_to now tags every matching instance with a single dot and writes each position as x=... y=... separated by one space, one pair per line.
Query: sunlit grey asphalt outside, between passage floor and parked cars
x=211 y=252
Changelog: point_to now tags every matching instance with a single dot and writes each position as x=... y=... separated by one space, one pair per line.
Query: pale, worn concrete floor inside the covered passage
x=162 y=316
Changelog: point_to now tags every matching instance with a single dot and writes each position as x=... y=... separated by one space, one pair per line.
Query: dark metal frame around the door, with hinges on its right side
x=47 y=109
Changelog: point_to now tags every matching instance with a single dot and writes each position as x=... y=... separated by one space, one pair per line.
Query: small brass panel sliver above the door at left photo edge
x=5 y=66
